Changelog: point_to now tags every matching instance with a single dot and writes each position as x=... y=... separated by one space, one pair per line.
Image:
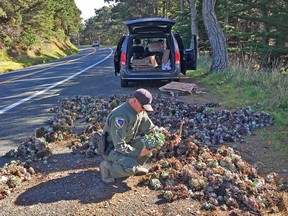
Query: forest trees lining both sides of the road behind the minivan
x=255 y=30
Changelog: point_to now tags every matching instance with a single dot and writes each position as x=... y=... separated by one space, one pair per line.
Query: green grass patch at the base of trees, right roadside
x=262 y=90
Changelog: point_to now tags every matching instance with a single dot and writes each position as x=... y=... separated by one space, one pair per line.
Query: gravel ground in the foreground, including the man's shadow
x=70 y=185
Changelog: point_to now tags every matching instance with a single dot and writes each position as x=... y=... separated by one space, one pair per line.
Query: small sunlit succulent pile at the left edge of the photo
x=12 y=175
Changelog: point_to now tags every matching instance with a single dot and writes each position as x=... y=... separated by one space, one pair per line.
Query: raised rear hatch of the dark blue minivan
x=150 y=25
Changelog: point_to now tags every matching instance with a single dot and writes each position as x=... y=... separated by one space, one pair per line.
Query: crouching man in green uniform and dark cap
x=128 y=153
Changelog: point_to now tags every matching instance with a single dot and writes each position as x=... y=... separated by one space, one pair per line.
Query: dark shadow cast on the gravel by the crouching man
x=84 y=186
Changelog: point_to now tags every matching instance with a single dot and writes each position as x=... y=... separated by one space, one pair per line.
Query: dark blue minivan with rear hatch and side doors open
x=152 y=51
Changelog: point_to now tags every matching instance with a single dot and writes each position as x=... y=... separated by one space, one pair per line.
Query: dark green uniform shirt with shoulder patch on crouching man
x=122 y=125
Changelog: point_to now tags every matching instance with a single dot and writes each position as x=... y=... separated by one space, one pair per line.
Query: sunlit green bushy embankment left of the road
x=33 y=32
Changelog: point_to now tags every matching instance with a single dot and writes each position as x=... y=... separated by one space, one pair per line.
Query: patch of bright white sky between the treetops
x=87 y=7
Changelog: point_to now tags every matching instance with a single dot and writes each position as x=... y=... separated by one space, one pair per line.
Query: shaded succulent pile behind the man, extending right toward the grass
x=207 y=125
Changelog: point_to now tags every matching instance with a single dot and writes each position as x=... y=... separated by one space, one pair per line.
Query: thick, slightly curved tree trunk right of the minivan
x=215 y=35
